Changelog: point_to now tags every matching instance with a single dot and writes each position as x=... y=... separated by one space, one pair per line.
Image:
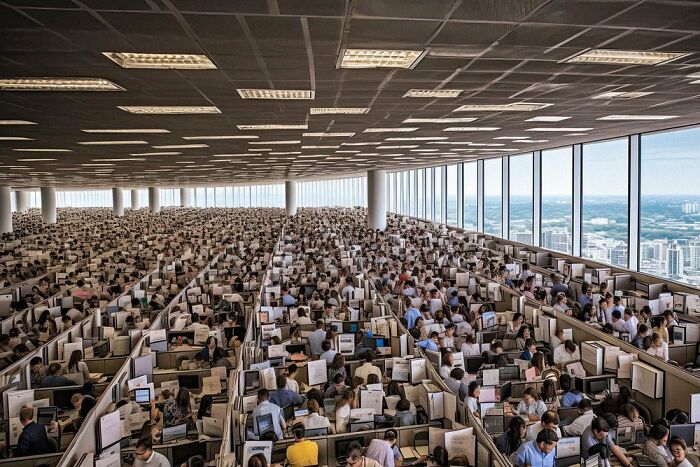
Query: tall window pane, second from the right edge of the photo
x=605 y=204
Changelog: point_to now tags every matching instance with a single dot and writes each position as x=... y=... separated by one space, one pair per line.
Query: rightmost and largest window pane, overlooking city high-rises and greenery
x=670 y=205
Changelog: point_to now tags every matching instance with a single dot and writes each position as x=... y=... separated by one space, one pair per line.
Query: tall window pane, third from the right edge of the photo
x=557 y=199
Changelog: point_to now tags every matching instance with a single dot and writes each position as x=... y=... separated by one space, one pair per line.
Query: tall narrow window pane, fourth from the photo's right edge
x=520 y=207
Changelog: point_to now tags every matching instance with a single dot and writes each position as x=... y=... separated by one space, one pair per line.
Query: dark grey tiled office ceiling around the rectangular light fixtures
x=496 y=51
